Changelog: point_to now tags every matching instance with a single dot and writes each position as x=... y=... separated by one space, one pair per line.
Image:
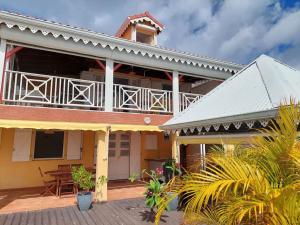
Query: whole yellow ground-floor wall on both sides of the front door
x=26 y=174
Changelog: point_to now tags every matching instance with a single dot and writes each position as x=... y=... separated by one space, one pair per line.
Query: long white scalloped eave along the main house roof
x=86 y=36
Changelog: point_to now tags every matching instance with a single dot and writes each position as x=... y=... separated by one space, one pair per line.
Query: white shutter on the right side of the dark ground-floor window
x=74 y=145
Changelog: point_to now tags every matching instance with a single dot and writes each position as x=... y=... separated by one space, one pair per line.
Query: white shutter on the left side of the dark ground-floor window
x=22 y=144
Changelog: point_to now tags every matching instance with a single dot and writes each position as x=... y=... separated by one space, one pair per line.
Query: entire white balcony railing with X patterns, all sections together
x=38 y=90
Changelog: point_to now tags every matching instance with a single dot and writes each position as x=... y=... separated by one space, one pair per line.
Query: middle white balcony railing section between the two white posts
x=142 y=99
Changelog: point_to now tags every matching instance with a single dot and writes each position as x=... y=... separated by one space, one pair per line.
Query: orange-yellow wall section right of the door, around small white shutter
x=163 y=151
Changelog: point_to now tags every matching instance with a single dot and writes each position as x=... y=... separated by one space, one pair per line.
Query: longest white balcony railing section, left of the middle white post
x=37 y=89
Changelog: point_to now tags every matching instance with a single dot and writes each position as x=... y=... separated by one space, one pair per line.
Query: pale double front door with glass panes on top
x=119 y=156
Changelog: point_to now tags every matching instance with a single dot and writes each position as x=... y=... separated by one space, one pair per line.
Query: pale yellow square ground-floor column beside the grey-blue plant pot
x=102 y=164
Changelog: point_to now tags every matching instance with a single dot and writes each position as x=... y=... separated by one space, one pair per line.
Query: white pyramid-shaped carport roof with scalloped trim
x=253 y=94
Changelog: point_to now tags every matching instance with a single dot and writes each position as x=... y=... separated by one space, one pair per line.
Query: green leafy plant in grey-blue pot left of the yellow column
x=84 y=181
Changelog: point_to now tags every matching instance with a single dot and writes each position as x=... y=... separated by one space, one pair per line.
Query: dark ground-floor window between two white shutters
x=49 y=144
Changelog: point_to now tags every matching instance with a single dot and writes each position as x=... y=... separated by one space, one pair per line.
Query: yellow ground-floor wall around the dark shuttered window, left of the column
x=26 y=174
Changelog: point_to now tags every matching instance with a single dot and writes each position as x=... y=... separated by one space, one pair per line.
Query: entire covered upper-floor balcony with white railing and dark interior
x=41 y=78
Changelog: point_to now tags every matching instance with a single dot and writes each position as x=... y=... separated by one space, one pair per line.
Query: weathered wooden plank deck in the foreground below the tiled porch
x=125 y=212
